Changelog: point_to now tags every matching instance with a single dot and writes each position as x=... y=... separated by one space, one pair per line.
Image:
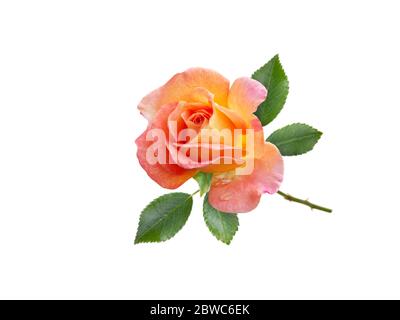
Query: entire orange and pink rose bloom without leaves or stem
x=203 y=124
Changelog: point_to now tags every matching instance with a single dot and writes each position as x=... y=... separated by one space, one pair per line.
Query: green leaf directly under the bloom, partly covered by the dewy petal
x=222 y=225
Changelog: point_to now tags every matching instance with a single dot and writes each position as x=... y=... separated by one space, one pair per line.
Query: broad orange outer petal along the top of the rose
x=180 y=87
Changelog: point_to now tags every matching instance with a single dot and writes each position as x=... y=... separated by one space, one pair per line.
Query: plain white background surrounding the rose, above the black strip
x=71 y=188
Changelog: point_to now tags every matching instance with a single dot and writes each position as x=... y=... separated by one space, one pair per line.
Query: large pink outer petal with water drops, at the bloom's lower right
x=243 y=193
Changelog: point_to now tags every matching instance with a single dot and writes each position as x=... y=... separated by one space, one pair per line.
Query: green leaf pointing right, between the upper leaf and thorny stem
x=295 y=139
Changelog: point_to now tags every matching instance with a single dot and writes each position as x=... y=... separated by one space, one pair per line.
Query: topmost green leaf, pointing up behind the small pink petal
x=273 y=77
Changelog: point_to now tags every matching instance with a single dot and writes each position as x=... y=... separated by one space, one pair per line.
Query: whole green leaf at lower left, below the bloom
x=164 y=217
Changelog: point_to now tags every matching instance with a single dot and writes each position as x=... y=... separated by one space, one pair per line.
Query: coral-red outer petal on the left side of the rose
x=169 y=176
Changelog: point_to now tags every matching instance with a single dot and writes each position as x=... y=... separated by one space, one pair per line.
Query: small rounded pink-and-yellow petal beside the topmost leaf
x=246 y=95
